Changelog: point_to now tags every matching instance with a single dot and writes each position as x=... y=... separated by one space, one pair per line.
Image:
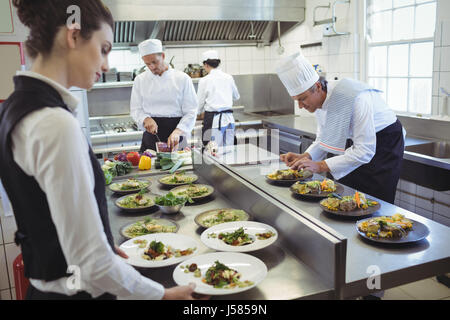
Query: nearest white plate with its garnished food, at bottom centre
x=221 y=273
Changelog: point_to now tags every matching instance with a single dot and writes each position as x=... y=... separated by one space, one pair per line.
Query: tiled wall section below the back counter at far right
x=428 y=203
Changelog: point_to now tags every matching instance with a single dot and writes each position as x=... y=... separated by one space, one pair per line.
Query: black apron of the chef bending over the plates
x=379 y=178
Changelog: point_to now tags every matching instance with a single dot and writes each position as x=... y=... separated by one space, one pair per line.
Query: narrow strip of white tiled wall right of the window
x=441 y=71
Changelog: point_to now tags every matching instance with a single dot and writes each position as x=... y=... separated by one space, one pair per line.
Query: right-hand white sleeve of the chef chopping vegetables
x=189 y=107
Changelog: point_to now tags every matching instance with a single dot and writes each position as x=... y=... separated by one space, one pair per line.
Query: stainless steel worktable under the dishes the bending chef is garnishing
x=398 y=264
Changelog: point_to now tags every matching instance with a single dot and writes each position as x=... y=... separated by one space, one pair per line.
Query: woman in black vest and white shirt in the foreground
x=51 y=176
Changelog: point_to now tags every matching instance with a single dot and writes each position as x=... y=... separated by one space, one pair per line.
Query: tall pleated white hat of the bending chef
x=297 y=74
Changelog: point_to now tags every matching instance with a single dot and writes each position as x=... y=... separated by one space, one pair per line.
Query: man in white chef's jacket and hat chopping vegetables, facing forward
x=163 y=100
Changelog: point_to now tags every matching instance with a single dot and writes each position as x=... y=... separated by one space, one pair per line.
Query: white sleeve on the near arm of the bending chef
x=364 y=140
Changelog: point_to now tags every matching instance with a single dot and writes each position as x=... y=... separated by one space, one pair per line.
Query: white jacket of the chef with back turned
x=216 y=93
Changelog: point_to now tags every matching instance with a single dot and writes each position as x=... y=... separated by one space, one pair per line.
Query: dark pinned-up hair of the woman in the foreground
x=45 y=17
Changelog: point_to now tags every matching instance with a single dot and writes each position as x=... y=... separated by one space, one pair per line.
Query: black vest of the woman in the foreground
x=42 y=254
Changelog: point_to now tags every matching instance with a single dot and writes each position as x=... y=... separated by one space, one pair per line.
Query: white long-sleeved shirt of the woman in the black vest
x=49 y=145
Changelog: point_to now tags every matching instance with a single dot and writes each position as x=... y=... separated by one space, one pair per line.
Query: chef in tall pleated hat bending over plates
x=354 y=125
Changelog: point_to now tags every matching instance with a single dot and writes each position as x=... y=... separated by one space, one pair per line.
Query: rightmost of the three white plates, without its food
x=250 y=227
